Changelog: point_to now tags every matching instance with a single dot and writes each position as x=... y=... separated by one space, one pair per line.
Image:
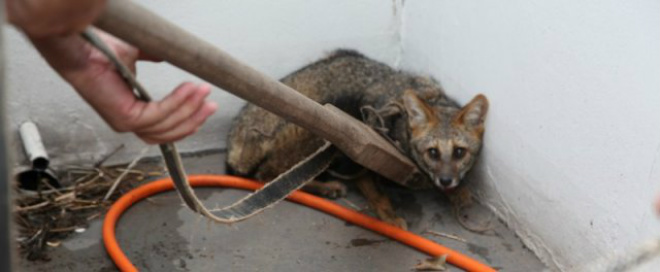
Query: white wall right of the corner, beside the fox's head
x=573 y=138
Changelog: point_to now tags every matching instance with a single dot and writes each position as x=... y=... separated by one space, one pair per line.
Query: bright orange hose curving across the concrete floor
x=406 y=237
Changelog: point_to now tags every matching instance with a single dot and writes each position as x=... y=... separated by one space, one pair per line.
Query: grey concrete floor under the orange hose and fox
x=162 y=235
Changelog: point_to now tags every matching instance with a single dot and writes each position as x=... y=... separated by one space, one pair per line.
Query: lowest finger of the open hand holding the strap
x=186 y=128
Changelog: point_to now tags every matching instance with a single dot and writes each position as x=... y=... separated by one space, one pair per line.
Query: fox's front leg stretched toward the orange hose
x=379 y=202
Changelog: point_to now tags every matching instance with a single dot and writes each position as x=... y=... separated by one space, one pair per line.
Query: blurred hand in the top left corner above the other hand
x=41 y=19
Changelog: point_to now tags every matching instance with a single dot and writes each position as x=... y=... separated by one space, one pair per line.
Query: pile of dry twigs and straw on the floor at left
x=48 y=215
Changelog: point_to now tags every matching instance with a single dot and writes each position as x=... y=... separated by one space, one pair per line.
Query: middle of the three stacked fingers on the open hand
x=185 y=111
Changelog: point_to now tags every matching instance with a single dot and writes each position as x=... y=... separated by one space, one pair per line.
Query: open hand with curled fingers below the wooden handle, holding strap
x=178 y=115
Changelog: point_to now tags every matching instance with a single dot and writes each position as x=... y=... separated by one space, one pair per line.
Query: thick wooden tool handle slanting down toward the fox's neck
x=161 y=38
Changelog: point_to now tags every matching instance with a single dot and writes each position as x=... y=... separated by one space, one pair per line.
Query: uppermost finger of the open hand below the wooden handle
x=153 y=113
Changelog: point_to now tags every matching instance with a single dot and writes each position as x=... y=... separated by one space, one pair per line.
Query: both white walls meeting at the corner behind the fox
x=572 y=145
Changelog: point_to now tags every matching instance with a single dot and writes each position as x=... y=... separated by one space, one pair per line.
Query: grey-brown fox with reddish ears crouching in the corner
x=442 y=138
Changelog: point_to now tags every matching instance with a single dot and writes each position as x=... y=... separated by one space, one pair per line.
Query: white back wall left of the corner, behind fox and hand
x=276 y=37
